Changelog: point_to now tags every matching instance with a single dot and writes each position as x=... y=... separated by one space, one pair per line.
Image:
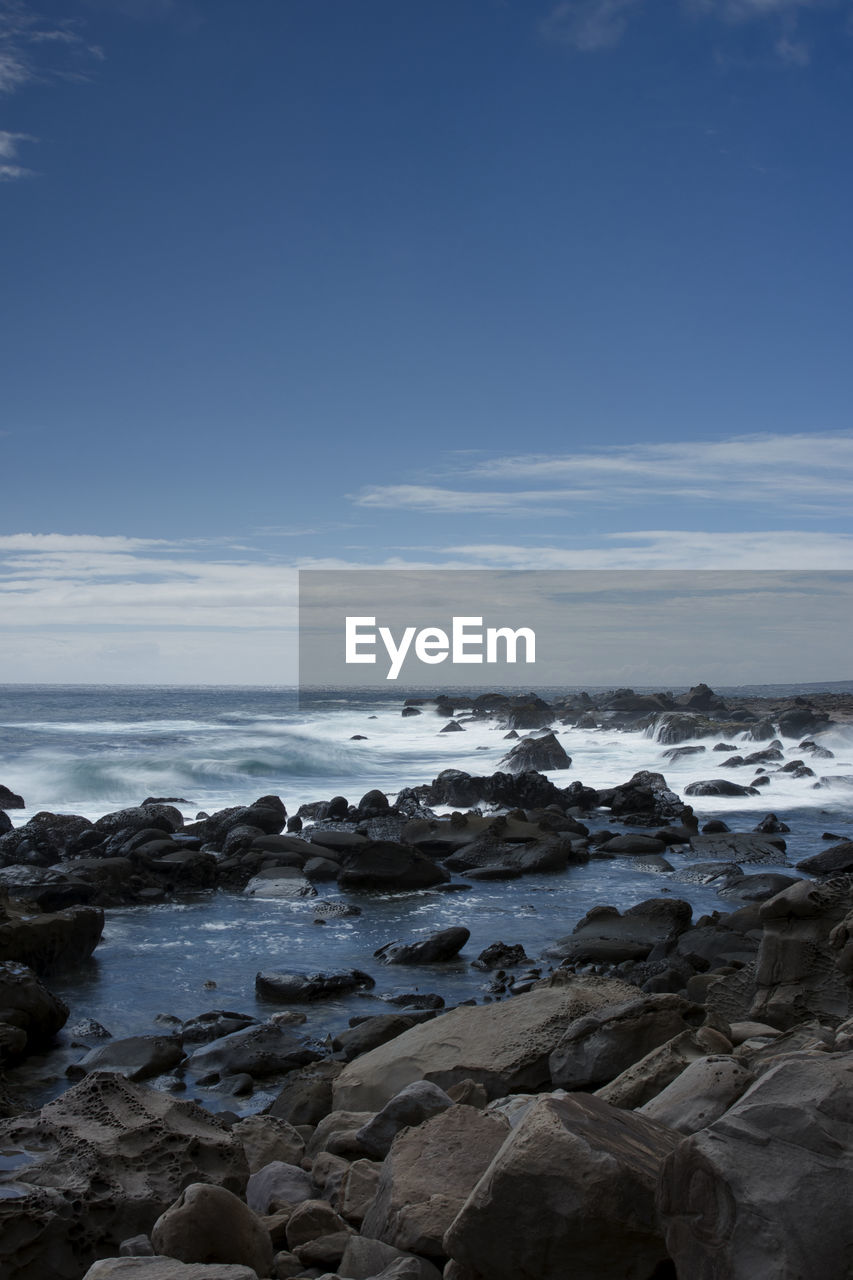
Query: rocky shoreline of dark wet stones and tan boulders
x=654 y=1096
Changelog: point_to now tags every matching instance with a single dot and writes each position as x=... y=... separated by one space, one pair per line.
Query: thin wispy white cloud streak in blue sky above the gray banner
x=806 y=473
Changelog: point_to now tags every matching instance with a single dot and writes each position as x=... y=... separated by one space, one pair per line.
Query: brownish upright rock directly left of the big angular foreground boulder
x=427 y=1177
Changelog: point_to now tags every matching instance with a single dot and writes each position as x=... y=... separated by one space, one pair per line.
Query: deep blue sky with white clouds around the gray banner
x=409 y=284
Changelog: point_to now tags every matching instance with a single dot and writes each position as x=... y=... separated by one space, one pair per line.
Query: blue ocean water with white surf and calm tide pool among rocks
x=93 y=749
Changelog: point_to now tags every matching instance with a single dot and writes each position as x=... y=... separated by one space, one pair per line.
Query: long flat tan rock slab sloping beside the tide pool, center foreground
x=504 y=1046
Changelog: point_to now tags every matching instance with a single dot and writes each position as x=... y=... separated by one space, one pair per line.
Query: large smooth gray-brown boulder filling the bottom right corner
x=764 y=1194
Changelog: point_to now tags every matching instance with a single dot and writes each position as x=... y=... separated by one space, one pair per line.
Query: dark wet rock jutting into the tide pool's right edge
x=605 y=935
